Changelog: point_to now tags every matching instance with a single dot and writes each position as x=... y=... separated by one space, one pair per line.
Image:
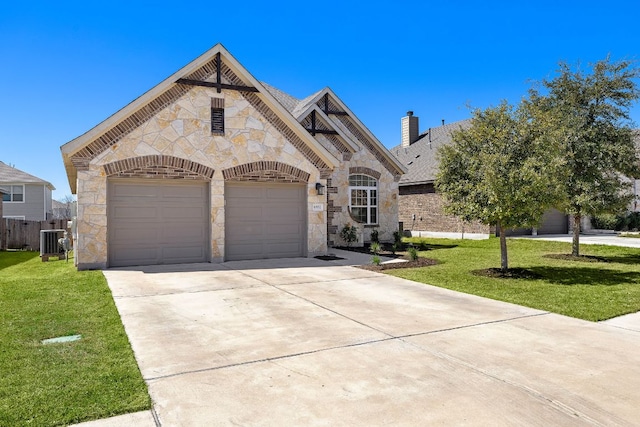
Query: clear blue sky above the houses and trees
x=67 y=65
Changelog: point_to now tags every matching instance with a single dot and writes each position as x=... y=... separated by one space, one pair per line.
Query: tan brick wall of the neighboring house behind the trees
x=423 y=202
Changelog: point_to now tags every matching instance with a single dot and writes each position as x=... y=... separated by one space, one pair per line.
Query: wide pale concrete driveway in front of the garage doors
x=308 y=342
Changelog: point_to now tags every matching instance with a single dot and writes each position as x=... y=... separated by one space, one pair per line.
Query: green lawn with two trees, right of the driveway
x=586 y=290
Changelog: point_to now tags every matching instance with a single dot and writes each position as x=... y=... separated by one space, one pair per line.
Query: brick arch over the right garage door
x=266 y=171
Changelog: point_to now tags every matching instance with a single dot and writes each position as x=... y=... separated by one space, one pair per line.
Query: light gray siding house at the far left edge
x=25 y=196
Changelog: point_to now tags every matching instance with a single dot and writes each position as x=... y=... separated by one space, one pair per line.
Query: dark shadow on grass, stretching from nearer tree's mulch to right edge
x=586 y=276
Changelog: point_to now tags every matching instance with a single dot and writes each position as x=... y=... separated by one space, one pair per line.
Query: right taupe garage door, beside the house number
x=265 y=221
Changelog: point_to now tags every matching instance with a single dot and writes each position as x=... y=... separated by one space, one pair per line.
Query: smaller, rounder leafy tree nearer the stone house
x=501 y=171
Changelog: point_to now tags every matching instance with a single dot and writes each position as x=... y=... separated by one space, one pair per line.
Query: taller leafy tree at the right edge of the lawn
x=587 y=116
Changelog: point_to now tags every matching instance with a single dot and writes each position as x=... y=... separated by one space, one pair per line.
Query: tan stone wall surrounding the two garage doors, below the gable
x=182 y=130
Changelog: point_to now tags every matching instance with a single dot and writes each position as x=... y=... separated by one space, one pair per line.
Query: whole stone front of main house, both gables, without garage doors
x=212 y=122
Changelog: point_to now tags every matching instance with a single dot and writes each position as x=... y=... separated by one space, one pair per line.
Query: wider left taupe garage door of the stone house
x=157 y=222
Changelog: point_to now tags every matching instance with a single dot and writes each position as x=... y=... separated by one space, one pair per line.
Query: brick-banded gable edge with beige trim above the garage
x=215 y=68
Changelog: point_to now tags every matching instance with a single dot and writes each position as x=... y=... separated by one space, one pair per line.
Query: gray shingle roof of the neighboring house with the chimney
x=420 y=157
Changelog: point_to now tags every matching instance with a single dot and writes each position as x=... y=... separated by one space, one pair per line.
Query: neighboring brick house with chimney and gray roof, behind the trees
x=420 y=207
